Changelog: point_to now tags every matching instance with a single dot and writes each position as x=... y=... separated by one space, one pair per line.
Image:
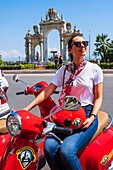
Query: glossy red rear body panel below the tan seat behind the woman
x=99 y=153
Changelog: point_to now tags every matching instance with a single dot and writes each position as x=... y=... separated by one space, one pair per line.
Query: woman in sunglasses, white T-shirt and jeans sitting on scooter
x=85 y=80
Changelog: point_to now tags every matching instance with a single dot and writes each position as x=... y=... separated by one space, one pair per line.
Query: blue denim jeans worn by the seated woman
x=64 y=156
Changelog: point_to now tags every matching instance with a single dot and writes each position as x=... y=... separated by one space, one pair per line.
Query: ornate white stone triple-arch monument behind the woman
x=51 y=22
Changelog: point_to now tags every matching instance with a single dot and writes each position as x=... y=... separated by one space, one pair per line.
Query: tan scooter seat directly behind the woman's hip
x=102 y=123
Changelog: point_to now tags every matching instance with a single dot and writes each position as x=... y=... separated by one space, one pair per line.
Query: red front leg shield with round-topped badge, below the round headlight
x=21 y=154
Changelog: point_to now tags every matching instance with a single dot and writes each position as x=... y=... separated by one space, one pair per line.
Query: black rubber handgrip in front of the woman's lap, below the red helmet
x=63 y=130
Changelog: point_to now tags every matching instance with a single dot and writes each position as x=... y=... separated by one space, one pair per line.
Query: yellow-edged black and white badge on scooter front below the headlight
x=26 y=156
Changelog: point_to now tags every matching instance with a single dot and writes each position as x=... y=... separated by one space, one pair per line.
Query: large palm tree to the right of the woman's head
x=102 y=46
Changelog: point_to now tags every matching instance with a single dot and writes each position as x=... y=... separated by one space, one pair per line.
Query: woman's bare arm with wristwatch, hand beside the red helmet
x=98 y=91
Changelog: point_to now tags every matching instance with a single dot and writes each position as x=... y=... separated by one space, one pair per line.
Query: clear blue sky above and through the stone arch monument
x=91 y=17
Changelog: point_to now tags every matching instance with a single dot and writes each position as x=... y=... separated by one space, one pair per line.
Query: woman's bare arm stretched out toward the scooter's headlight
x=42 y=96
